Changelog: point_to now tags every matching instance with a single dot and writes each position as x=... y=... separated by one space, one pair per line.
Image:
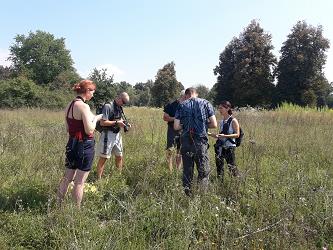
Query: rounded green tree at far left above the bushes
x=40 y=56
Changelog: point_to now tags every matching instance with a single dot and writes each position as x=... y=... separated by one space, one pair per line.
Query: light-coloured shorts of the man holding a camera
x=110 y=143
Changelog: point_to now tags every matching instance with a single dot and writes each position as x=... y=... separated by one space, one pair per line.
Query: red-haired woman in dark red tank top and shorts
x=80 y=149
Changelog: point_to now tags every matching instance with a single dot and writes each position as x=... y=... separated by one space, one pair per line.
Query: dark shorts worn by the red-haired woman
x=80 y=154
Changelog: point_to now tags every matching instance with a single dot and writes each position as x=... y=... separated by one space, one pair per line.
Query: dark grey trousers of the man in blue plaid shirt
x=195 y=151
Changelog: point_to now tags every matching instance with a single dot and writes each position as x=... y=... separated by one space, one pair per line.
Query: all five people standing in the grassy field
x=189 y=118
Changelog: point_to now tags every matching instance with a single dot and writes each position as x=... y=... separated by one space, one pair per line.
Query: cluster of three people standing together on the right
x=189 y=119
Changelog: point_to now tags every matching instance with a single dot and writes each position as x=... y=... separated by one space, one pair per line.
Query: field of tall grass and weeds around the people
x=283 y=200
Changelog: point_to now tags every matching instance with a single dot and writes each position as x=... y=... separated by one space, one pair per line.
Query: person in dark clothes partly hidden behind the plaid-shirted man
x=173 y=139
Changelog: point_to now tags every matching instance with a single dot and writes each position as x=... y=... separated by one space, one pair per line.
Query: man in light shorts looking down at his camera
x=110 y=141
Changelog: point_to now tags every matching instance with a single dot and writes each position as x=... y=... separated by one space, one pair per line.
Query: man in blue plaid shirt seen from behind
x=194 y=116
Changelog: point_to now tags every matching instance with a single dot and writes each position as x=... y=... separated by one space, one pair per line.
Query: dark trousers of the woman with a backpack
x=227 y=154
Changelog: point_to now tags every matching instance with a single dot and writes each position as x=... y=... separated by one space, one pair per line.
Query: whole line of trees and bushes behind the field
x=248 y=73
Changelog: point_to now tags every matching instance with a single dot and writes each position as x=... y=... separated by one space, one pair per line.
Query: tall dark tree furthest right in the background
x=300 y=70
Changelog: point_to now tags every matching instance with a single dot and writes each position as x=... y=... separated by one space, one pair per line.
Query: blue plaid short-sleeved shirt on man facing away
x=193 y=115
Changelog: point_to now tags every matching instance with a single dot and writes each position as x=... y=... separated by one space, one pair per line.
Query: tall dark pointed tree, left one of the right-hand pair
x=245 y=71
